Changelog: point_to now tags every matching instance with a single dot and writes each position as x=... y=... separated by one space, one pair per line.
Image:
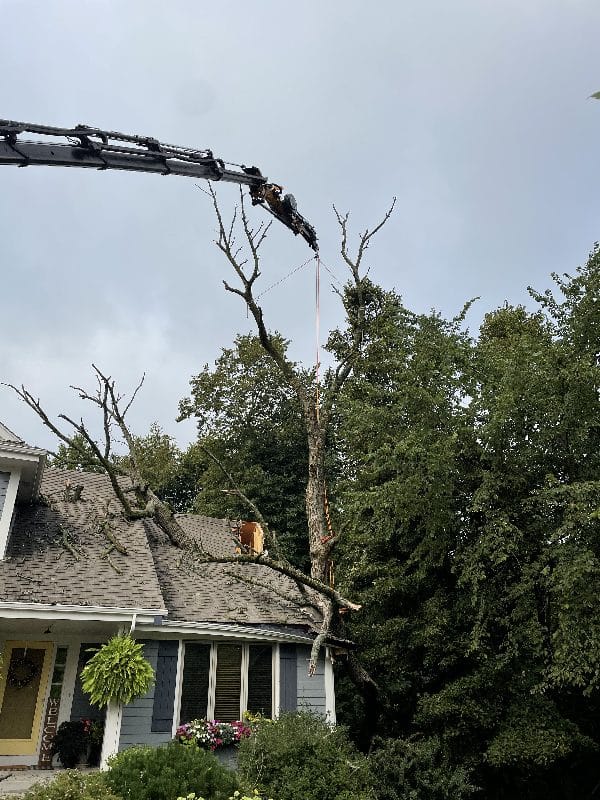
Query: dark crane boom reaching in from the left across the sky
x=93 y=148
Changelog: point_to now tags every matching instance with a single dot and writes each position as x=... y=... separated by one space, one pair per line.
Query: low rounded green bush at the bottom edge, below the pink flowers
x=164 y=773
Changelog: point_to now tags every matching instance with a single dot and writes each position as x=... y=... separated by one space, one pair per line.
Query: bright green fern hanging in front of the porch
x=118 y=671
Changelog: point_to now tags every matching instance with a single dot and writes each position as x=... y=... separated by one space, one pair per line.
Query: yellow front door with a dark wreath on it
x=23 y=684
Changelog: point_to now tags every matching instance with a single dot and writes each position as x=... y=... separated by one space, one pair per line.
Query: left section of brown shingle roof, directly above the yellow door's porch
x=57 y=555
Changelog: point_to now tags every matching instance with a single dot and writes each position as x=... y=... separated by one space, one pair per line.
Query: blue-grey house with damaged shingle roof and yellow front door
x=222 y=638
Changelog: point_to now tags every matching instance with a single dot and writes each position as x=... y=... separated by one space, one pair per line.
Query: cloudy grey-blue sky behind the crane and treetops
x=474 y=113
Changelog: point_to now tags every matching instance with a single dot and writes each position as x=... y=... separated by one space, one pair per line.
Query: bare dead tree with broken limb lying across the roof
x=137 y=498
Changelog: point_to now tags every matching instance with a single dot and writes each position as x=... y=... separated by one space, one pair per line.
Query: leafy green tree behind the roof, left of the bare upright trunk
x=252 y=422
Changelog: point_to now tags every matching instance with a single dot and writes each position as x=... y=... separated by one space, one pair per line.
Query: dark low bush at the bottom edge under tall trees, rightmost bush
x=405 y=769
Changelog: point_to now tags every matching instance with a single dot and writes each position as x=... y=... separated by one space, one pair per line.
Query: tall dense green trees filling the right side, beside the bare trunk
x=472 y=499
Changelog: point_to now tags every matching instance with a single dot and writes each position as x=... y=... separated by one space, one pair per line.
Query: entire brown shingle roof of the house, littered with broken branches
x=59 y=552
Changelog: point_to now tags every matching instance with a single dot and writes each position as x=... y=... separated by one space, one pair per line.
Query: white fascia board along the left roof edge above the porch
x=54 y=611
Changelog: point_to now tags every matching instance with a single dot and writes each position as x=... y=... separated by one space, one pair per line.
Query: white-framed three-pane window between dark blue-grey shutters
x=222 y=680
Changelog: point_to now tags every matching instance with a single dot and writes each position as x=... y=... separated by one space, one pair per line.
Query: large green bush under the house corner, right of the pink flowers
x=301 y=756
